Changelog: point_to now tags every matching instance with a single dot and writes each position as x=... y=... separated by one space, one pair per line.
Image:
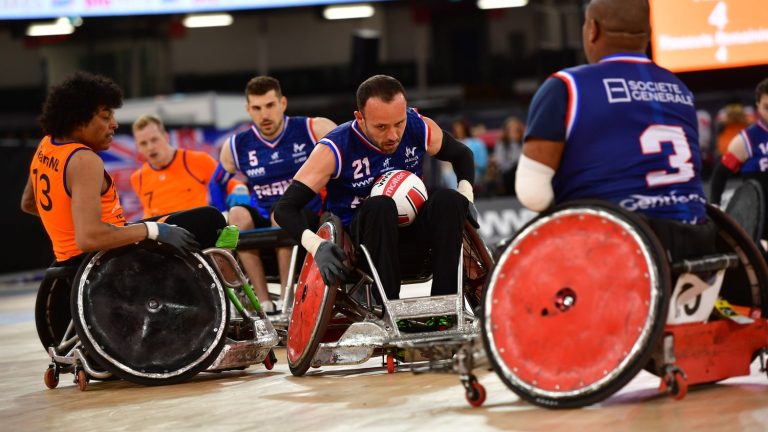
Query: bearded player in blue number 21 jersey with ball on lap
x=385 y=135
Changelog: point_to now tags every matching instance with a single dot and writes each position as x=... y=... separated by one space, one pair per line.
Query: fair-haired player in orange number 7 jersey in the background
x=171 y=179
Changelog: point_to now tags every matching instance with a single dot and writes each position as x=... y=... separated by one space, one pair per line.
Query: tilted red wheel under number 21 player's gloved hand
x=312 y=304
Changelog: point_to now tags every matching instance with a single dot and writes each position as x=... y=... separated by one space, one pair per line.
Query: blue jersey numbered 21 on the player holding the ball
x=359 y=162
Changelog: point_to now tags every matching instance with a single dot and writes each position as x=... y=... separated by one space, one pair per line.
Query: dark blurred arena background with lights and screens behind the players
x=455 y=60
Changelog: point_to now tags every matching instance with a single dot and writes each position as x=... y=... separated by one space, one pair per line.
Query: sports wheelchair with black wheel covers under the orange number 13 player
x=147 y=315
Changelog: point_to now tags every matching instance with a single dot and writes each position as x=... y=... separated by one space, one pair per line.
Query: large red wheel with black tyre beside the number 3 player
x=586 y=286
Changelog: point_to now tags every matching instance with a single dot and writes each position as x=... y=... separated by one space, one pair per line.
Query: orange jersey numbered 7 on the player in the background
x=180 y=185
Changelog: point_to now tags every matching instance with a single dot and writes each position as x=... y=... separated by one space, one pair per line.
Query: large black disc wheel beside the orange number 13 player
x=149 y=316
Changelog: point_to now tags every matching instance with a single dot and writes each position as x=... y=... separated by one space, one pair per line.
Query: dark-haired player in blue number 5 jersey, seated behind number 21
x=268 y=154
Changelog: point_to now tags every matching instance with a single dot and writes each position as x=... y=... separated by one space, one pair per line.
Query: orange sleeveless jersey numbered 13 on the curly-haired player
x=54 y=200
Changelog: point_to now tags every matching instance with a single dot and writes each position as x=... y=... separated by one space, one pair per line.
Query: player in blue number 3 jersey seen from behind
x=620 y=129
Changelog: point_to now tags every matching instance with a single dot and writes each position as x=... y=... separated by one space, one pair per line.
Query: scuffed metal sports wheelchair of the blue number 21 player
x=343 y=324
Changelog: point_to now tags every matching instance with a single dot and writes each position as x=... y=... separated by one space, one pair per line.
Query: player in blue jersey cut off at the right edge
x=747 y=153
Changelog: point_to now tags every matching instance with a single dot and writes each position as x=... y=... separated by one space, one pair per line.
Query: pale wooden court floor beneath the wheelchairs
x=350 y=398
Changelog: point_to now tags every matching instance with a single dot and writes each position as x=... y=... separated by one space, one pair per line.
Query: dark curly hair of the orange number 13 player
x=73 y=102
